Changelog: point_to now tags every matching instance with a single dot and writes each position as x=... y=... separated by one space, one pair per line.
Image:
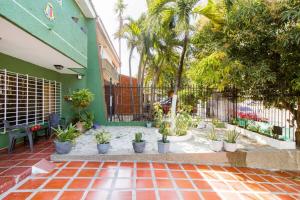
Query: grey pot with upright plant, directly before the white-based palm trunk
x=164 y=143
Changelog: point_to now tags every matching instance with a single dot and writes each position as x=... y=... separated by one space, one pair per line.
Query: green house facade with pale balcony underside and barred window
x=48 y=49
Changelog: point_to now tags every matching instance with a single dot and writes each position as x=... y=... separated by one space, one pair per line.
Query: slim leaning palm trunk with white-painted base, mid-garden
x=178 y=81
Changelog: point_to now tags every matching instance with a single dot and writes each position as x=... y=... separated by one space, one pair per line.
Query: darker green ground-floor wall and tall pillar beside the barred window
x=92 y=79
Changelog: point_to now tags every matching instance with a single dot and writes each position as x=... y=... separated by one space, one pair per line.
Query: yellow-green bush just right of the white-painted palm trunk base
x=183 y=122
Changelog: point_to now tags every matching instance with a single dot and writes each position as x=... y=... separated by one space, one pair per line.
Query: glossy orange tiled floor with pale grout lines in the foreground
x=150 y=180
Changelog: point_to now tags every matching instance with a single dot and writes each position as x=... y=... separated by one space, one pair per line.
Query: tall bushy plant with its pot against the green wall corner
x=81 y=99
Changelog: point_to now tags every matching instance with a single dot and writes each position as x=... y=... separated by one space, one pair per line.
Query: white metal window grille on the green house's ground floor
x=27 y=100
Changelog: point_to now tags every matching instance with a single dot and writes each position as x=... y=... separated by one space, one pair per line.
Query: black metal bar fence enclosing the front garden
x=125 y=103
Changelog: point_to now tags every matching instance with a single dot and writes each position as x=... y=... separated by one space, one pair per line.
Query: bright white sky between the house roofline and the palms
x=105 y=9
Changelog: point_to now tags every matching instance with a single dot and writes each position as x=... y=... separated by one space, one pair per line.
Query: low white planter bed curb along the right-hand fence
x=279 y=144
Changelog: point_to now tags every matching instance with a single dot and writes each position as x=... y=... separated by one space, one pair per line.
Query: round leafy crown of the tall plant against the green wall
x=82 y=98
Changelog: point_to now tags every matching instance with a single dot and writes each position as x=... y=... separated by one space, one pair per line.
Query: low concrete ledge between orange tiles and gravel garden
x=280 y=159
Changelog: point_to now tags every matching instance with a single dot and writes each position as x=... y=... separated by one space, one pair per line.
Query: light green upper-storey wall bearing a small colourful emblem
x=62 y=33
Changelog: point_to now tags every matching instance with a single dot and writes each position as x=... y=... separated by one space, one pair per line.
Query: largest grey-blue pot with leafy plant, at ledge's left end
x=65 y=139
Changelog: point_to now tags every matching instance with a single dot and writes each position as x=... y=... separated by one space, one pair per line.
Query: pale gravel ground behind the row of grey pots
x=122 y=138
